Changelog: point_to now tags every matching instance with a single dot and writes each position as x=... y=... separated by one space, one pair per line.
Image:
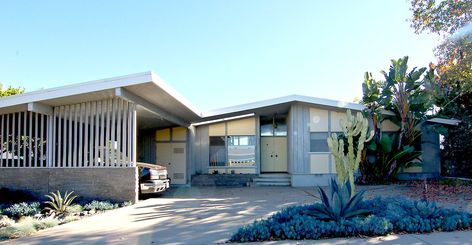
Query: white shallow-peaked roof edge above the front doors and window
x=282 y=100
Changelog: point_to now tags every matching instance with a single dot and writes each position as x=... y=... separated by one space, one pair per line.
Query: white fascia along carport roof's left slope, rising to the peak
x=75 y=89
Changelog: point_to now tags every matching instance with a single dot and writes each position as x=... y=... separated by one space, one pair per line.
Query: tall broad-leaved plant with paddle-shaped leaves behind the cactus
x=404 y=94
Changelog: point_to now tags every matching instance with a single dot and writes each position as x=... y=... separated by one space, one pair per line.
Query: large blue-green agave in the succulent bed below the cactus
x=340 y=204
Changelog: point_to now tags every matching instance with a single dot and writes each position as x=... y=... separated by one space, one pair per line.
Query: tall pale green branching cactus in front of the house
x=348 y=163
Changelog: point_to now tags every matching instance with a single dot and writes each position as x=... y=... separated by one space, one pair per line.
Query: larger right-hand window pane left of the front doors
x=242 y=150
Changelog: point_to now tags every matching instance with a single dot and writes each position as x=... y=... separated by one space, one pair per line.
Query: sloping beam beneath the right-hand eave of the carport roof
x=129 y=96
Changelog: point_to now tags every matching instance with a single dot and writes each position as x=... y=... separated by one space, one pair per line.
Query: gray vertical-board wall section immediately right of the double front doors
x=298 y=139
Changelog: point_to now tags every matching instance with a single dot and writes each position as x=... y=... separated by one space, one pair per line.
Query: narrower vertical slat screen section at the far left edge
x=23 y=140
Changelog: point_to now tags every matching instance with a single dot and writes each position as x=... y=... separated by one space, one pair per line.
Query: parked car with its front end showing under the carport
x=153 y=178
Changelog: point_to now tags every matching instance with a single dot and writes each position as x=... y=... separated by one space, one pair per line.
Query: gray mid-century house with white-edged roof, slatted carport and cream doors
x=88 y=138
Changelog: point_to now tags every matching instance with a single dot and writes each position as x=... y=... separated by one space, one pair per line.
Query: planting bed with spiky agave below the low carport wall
x=22 y=215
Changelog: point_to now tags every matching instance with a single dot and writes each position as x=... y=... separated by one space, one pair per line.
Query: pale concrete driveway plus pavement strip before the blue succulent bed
x=203 y=216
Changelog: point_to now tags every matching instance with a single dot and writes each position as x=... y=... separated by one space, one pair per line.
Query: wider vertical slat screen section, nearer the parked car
x=94 y=134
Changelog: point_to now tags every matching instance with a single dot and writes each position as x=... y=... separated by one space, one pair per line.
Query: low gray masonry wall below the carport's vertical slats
x=119 y=184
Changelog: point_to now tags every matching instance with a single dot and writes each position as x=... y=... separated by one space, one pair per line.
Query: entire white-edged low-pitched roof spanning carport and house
x=150 y=87
